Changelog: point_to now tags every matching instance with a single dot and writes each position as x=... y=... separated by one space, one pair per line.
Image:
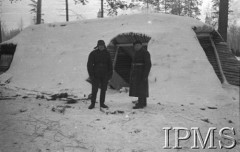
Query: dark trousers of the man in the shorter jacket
x=102 y=82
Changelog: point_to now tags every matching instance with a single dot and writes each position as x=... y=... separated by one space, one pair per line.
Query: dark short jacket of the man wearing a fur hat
x=99 y=64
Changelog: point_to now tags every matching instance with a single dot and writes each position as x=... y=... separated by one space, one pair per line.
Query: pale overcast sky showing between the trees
x=53 y=10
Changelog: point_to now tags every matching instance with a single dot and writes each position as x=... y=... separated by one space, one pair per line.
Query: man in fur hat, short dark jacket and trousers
x=100 y=70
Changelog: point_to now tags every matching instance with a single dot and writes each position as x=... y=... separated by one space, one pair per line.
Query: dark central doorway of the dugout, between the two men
x=122 y=52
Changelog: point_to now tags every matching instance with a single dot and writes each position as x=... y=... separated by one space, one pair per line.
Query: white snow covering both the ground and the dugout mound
x=51 y=58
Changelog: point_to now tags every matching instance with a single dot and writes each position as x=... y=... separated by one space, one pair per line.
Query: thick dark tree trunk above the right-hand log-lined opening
x=223 y=18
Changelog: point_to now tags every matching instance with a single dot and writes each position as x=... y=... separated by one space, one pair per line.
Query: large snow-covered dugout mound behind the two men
x=53 y=57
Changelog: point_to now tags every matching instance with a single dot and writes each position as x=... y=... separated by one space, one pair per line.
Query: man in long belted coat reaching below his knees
x=140 y=69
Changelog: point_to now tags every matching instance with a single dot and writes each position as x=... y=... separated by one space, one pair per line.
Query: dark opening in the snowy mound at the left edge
x=6 y=56
